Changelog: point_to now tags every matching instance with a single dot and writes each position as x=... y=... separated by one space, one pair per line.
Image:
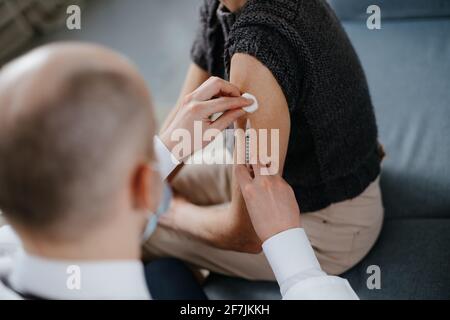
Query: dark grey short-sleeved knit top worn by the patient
x=333 y=152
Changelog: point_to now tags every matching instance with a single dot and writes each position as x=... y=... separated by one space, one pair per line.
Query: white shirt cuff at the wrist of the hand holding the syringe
x=290 y=254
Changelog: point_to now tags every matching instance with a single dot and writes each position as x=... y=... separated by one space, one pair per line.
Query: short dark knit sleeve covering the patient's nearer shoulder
x=266 y=31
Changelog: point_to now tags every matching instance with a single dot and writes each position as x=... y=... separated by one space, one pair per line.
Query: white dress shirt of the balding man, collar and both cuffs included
x=289 y=254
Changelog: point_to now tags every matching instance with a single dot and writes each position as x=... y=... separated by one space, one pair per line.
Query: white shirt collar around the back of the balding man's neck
x=57 y=279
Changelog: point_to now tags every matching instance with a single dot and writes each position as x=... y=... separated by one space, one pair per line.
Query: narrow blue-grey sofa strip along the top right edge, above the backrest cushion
x=392 y=9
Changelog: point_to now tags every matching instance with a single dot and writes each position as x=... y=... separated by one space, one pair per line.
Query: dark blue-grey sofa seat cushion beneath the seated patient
x=412 y=254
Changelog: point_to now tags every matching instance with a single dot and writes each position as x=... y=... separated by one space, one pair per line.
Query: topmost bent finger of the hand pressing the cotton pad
x=214 y=87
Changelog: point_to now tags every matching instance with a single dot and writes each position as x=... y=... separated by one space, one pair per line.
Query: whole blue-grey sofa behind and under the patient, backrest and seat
x=408 y=67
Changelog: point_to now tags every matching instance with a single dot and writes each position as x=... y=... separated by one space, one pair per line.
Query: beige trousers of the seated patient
x=341 y=234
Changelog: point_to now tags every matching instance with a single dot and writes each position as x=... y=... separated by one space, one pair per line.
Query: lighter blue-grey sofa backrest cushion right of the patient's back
x=407 y=64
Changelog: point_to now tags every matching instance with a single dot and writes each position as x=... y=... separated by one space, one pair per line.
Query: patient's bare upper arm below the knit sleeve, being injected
x=253 y=77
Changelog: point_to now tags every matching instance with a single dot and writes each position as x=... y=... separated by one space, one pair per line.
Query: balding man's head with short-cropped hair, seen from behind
x=75 y=119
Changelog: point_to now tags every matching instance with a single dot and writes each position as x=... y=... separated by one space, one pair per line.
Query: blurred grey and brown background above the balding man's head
x=155 y=34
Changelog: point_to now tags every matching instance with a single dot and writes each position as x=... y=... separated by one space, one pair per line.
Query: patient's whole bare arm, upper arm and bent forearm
x=230 y=227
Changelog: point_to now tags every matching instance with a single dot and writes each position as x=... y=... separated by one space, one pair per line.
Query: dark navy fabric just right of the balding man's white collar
x=171 y=279
